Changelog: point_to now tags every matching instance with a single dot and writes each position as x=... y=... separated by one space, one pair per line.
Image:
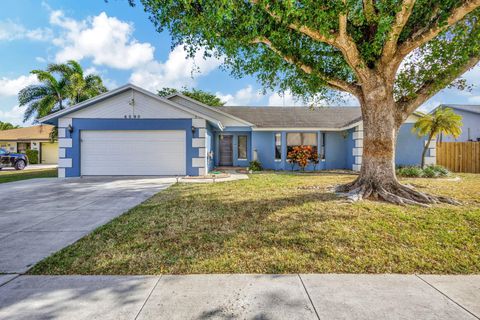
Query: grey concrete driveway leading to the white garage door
x=41 y=216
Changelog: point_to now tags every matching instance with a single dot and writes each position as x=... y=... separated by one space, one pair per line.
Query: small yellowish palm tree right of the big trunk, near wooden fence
x=442 y=121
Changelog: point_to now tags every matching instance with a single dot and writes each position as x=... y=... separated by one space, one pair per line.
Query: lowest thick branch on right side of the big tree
x=429 y=89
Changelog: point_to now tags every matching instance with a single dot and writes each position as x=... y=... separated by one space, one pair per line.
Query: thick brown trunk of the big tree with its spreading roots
x=377 y=178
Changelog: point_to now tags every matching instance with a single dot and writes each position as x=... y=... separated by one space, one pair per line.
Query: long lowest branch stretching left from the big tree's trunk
x=336 y=84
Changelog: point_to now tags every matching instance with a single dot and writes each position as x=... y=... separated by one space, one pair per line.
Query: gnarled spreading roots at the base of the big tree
x=392 y=192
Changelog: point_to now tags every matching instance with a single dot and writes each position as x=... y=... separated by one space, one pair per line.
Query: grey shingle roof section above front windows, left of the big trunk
x=297 y=117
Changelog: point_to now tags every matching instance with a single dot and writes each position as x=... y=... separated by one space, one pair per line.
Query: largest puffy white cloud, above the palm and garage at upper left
x=106 y=40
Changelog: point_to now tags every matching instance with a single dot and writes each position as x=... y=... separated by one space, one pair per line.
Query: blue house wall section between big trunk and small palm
x=409 y=147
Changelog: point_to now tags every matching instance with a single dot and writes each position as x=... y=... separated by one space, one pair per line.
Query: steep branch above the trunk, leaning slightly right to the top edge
x=401 y=19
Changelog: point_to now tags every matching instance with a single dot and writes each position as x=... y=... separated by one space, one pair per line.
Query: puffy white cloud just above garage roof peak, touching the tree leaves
x=176 y=72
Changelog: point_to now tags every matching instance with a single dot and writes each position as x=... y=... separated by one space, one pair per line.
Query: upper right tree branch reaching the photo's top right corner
x=420 y=39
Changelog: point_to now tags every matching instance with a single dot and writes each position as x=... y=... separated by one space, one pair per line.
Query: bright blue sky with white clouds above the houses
x=120 y=43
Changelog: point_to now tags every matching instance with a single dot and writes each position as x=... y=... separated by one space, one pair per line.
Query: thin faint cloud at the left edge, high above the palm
x=10 y=30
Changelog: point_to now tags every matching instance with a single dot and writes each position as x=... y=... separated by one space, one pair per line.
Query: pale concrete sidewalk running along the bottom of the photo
x=240 y=297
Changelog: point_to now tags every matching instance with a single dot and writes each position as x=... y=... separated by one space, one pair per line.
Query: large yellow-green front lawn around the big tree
x=282 y=223
